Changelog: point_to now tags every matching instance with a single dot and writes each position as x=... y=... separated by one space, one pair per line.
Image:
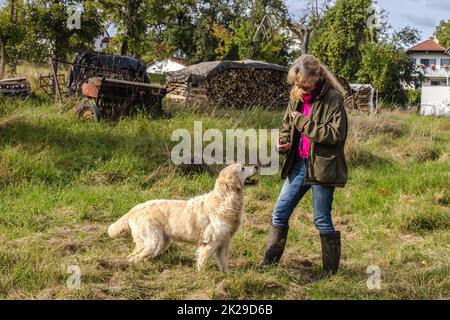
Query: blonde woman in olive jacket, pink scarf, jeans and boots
x=313 y=138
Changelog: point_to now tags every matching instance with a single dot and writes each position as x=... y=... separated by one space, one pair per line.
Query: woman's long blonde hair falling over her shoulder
x=307 y=66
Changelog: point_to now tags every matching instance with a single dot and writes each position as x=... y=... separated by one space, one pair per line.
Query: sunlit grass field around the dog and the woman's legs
x=63 y=181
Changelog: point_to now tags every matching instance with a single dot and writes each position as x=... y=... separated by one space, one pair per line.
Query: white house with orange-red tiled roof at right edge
x=433 y=61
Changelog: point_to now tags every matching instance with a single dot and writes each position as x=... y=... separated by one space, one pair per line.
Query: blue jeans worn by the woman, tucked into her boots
x=293 y=191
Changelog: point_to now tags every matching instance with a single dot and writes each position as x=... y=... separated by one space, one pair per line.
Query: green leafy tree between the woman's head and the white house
x=347 y=45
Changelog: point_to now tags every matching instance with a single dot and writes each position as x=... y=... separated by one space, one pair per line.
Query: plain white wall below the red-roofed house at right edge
x=435 y=101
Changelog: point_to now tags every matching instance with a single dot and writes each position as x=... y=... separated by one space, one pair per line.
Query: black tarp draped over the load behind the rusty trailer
x=95 y=64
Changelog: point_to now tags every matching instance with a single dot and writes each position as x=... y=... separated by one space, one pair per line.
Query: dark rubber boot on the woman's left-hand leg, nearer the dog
x=276 y=243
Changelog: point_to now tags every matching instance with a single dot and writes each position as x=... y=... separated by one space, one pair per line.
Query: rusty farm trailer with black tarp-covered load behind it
x=112 y=87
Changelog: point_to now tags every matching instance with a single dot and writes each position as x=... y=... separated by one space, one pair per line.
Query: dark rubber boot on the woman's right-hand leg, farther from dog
x=331 y=252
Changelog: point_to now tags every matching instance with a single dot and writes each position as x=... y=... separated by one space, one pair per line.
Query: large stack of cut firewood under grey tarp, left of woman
x=254 y=85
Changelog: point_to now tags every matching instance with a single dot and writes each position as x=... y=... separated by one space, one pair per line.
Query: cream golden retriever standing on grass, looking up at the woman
x=208 y=221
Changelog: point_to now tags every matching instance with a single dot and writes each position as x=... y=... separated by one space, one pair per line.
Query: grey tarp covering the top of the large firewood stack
x=206 y=70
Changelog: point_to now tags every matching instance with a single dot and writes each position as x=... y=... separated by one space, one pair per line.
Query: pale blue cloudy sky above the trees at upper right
x=424 y=15
